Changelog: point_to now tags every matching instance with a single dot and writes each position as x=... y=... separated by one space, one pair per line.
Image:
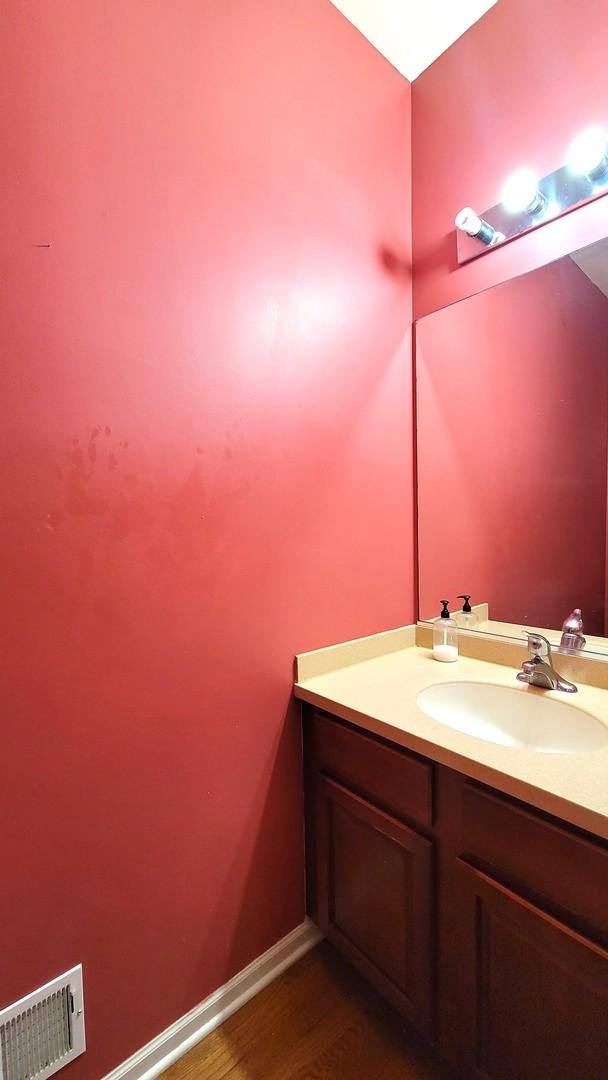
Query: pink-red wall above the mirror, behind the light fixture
x=514 y=91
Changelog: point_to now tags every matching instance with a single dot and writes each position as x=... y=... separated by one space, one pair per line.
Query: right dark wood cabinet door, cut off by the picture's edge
x=534 y=994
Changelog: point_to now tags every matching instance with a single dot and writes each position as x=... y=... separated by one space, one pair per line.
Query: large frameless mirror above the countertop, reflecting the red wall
x=512 y=407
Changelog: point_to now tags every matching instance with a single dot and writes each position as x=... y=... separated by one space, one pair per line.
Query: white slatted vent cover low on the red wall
x=44 y=1032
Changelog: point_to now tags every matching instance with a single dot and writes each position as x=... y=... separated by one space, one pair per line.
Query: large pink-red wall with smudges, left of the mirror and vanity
x=206 y=467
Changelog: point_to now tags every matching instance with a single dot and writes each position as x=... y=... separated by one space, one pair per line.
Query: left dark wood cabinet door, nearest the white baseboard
x=374 y=885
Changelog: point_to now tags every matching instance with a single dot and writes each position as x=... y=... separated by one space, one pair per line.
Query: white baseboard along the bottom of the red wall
x=171 y=1045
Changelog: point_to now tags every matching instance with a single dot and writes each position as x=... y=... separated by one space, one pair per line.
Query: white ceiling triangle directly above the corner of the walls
x=412 y=34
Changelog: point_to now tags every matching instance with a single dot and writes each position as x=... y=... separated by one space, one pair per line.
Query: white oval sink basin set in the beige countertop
x=512 y=718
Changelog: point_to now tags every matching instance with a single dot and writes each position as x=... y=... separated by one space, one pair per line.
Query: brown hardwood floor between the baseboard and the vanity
x=319 y=1021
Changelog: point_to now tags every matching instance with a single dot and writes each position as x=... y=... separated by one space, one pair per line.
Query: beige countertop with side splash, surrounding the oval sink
x=379 y=693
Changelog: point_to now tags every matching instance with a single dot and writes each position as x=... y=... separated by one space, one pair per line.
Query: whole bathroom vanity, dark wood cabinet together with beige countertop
x=449 y=879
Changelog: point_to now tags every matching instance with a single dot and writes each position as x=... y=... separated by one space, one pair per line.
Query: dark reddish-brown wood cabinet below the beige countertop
x=484 y=922
